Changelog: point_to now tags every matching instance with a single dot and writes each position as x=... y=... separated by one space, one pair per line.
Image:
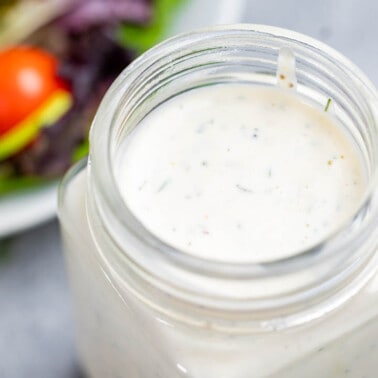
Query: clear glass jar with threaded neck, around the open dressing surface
x=145 y=309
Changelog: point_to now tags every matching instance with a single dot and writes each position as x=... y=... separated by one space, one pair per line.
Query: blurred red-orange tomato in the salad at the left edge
x=28 y=76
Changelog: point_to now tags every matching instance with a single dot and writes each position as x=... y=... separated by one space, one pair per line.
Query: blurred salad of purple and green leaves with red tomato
x=57 y=59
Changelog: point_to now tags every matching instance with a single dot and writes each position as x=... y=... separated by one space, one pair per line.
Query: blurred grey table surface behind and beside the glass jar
x=36 y=325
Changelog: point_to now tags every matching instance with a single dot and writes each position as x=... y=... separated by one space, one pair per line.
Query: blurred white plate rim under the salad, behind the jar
x=22 y=211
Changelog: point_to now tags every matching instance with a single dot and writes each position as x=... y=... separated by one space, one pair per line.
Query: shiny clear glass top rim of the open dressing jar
x=101 y=148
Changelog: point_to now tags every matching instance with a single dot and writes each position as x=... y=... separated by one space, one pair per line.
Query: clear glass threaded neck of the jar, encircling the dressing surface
x=267 y=295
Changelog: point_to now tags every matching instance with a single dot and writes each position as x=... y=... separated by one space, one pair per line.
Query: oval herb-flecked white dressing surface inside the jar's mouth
x=240 y=173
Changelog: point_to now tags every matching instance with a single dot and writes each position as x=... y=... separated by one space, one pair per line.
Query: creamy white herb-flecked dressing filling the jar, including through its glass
x=232 y=173
